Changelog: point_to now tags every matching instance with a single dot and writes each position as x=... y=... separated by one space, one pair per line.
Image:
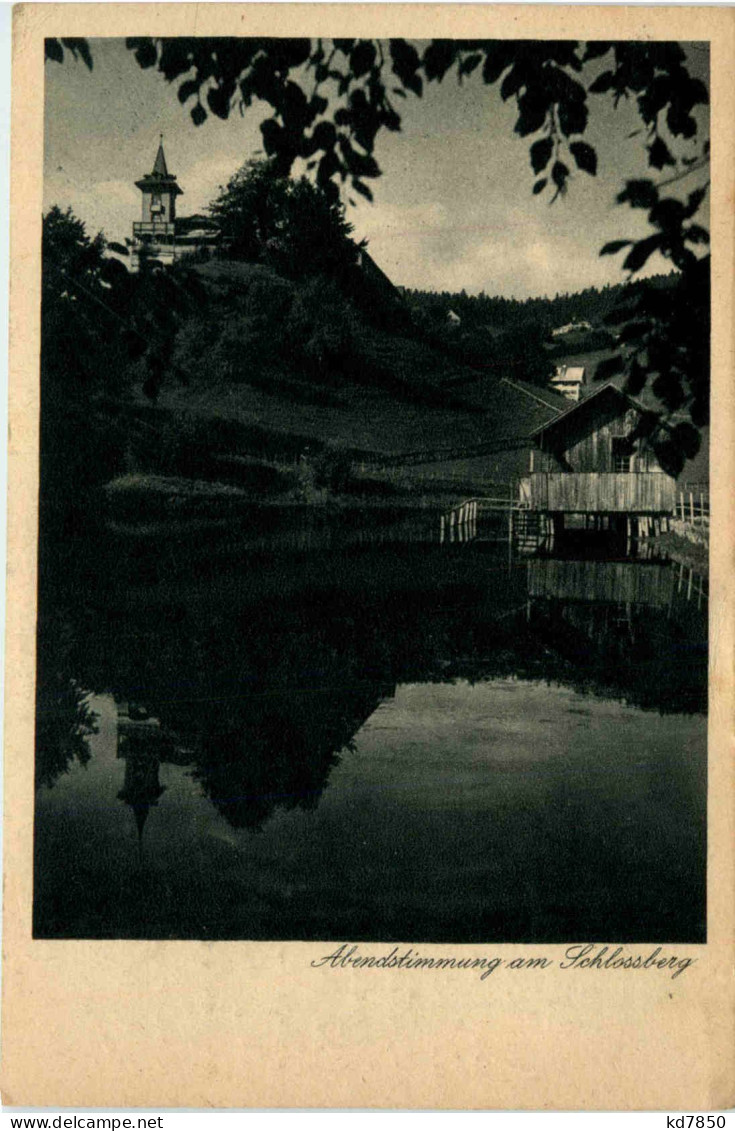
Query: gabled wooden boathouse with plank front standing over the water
x=586 y=463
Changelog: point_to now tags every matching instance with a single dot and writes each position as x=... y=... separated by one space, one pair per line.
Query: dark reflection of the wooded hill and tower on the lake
x=261 y=701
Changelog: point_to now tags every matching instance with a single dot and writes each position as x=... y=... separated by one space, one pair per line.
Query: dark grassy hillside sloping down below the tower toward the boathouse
x=295 y=370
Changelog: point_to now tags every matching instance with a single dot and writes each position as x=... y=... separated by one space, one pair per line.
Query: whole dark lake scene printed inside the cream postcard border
x=375 y=506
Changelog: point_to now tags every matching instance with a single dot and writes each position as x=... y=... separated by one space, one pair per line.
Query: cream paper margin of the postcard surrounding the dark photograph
x=189 y=1024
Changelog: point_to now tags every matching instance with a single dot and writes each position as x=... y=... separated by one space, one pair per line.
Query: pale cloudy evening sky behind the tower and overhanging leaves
x=454 y=209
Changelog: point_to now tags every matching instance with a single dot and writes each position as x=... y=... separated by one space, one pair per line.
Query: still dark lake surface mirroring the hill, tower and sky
x=429 y=745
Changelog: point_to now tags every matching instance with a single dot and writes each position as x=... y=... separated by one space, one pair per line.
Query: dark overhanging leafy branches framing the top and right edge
x=332 y=100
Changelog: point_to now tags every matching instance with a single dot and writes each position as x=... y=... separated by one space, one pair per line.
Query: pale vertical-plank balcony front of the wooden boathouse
x=602 y=493
